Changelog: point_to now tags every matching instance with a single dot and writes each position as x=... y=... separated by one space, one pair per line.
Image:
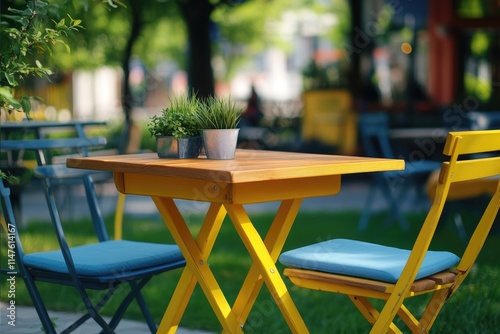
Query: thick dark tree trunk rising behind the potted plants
x=196 y=14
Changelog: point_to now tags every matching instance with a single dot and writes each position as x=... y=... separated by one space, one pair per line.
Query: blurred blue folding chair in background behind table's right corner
x=394 y=186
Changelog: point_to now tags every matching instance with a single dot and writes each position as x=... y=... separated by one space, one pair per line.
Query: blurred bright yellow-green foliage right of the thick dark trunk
x=246 y=30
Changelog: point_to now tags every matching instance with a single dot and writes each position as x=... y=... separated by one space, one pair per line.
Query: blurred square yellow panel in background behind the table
x=329 y=118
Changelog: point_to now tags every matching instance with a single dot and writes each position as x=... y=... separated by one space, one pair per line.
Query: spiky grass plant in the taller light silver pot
x=218 y=120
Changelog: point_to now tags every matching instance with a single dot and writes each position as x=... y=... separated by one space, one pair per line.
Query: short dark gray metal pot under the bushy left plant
x=184 y=148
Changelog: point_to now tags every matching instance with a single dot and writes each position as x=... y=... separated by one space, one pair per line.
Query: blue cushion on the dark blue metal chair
x=107 y=258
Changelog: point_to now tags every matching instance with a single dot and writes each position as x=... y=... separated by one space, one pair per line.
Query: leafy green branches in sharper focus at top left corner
x=29 y=30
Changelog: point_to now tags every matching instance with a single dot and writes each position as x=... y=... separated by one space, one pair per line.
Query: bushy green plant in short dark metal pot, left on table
x=176 y=129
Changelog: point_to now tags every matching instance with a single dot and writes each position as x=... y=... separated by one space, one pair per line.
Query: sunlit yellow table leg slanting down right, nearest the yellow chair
x=265 y=264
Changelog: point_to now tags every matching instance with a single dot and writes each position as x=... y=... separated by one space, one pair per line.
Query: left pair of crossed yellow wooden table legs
x=195 y=266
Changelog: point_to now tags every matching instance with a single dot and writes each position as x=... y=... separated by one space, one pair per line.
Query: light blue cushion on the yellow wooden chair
x=362 y=259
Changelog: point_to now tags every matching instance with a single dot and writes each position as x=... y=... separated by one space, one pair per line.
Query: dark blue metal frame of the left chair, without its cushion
x=136 y=278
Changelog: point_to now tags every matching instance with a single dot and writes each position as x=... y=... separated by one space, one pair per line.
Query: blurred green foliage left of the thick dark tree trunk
x=160 y=35
